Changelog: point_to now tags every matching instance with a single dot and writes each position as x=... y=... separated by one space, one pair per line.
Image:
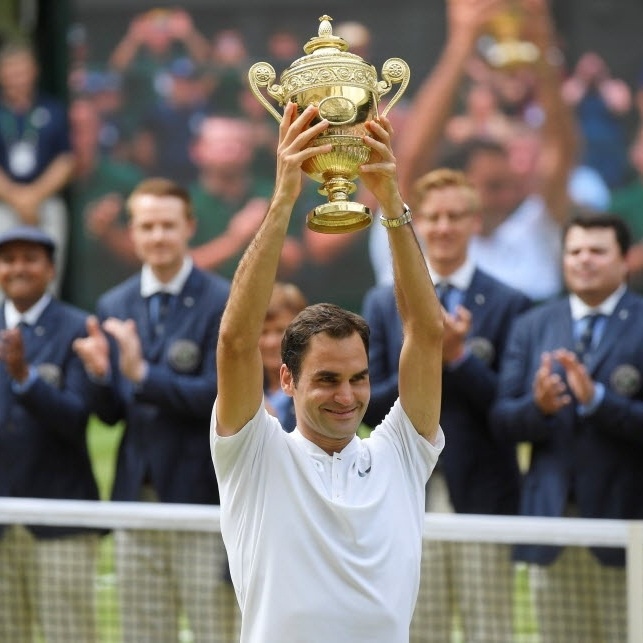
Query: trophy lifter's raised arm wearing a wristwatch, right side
x=420 y=372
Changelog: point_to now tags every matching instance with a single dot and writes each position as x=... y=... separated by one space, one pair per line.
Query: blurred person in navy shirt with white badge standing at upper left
x=36 y=162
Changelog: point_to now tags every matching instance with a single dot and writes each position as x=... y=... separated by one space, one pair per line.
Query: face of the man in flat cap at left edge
x=26 y=270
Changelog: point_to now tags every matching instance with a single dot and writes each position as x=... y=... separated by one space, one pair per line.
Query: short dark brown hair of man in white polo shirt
x=318 y=318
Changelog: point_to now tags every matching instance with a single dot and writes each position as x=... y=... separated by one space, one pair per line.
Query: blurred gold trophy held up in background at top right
x=503 y=45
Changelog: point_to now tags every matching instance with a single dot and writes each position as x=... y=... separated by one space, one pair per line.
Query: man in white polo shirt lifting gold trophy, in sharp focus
x=324 y=530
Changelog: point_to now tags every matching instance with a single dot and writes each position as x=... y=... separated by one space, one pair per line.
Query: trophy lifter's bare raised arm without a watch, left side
x=239 y=364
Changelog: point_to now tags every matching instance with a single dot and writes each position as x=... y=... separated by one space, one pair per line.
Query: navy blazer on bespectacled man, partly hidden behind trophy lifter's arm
x=481 y=472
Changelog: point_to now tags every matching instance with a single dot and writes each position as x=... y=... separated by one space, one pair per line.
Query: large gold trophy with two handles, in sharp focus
x=345 y=89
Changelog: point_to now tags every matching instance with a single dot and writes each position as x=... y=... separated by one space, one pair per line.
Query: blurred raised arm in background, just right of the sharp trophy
x=433 y=103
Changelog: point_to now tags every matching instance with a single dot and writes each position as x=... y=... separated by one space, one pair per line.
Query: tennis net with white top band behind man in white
x=148 y=572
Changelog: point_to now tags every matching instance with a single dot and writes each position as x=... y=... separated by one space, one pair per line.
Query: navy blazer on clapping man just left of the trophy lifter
x=167 y=416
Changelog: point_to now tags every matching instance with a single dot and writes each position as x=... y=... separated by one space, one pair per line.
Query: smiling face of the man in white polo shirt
x=332 y=391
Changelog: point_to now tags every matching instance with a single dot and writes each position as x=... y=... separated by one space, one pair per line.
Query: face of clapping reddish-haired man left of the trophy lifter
x=161 y=230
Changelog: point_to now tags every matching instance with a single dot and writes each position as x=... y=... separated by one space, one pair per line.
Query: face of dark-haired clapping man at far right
x=593 y=263
